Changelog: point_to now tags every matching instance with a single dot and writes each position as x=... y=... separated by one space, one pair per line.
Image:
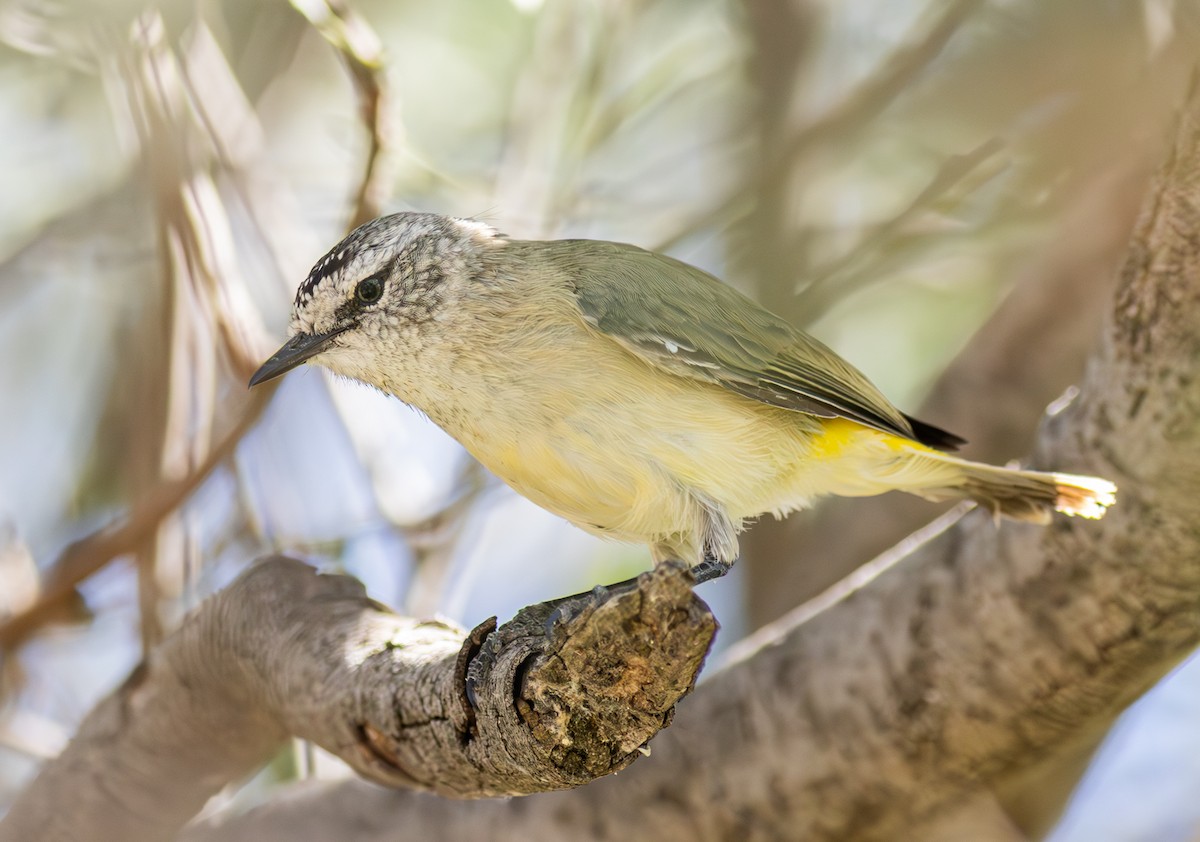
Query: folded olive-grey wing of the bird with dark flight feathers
x=652 y=305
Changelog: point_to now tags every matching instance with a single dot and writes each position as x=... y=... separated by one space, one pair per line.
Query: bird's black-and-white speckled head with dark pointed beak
x=376 y=299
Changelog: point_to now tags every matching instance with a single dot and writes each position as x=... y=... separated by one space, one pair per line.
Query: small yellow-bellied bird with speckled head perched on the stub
x=634 y=395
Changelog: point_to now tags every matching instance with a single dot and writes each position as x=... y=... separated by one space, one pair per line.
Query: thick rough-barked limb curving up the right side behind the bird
x=933 y=676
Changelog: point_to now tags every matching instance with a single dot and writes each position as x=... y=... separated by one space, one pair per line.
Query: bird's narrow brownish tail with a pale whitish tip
x=1019 y=495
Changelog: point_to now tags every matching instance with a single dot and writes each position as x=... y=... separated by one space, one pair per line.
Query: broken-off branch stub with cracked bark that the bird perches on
x=557 y=700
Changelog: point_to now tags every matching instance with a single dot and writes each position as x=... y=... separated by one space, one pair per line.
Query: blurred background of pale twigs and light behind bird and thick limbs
x=943 y=191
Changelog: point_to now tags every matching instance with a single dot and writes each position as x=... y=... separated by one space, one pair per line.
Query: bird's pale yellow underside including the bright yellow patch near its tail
x=625 y=450
